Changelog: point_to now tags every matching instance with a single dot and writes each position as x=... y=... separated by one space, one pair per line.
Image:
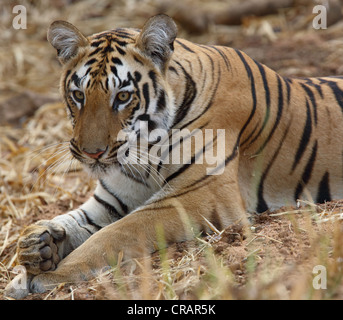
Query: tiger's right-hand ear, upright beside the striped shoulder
x=156 y=39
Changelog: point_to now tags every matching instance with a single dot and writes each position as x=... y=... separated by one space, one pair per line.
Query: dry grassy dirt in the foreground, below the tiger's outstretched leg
x=275 y=259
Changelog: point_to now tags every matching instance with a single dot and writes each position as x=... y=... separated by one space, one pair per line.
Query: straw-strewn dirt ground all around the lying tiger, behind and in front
x=274 y=259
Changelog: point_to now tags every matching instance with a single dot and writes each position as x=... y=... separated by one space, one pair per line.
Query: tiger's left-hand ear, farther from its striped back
x=66 y=39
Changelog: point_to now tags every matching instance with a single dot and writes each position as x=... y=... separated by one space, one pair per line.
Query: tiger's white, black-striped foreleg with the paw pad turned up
x=44 y=244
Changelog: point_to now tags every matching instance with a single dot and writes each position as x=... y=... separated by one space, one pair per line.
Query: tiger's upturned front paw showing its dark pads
x=37 y=249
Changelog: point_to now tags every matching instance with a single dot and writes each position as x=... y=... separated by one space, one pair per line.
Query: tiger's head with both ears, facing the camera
x=114 y=82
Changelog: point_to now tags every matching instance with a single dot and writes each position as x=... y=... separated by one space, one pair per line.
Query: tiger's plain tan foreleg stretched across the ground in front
x=136 y=234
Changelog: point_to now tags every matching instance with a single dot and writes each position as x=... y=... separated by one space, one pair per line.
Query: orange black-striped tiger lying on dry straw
x=282 y=142
